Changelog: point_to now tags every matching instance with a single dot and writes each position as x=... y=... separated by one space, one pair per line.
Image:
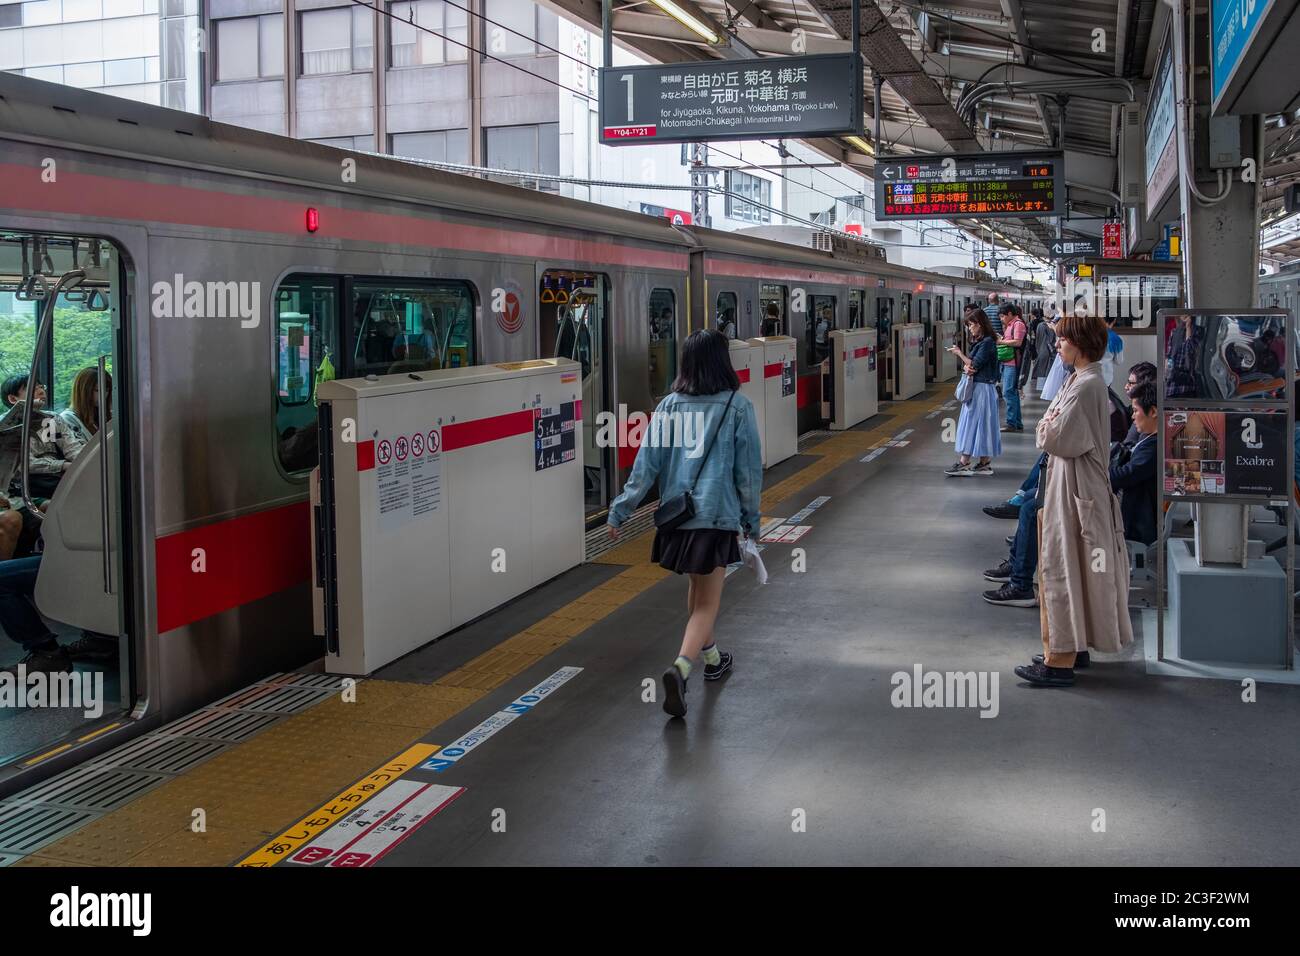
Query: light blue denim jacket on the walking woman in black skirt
x=673 y=449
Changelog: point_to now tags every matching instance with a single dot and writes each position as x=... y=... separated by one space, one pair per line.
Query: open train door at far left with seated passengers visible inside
x=63 y=551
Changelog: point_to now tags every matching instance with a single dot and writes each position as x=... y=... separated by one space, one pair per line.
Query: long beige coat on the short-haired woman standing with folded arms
x=1084 y=563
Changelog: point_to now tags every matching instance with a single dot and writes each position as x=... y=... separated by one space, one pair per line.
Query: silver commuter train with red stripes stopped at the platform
x=218 y=275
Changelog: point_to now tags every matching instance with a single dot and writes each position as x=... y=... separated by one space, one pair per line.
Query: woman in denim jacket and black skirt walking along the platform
x=720 y=470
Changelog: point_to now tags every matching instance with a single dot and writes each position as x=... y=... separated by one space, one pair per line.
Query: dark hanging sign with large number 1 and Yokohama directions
x=733 y=100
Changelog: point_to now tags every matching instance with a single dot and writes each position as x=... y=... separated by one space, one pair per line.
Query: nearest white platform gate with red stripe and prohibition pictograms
x=465 y=492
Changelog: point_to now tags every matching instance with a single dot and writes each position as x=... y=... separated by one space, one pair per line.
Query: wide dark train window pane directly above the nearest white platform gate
x=410 y=326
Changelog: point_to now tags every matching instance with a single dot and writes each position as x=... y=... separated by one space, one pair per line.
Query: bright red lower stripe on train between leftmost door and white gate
x=245 y=559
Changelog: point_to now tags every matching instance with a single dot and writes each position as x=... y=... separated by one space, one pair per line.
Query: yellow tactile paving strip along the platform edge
x=255 y=790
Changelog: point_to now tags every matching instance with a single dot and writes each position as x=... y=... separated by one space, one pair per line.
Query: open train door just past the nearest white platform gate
x=574 y=314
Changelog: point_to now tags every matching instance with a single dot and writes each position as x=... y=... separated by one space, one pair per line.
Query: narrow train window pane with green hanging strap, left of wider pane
x=306 y=318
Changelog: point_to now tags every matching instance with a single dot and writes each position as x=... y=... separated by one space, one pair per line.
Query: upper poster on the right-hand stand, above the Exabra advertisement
x=1217 y=358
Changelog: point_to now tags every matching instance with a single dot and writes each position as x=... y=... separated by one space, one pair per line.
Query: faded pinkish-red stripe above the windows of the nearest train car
x=89 y=196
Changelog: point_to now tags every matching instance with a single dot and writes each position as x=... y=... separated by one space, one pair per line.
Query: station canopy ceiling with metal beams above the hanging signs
x=960 y=76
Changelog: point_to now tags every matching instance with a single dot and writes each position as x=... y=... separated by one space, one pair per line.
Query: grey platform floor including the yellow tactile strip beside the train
x=803 y=730
